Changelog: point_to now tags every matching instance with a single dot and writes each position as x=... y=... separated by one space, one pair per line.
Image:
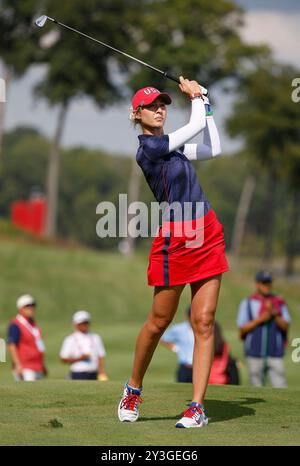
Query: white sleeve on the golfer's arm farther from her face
x=211 y=146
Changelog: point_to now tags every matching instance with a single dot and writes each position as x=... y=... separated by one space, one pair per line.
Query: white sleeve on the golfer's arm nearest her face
x=196 y=124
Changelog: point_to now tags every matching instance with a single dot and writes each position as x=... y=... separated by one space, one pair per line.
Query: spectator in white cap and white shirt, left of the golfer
x=84 y=350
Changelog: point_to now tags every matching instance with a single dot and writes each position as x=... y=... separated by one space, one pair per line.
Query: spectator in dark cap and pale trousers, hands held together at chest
x=263 y=320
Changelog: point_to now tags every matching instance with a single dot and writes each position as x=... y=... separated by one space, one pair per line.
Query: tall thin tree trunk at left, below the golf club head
x=52 y=186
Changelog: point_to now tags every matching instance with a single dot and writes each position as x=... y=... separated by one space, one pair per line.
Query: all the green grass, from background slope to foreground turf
x=115 y=291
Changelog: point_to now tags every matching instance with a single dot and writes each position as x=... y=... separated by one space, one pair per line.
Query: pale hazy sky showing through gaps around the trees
x=271 y=21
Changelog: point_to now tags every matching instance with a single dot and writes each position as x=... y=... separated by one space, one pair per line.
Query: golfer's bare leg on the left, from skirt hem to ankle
x=164 y=306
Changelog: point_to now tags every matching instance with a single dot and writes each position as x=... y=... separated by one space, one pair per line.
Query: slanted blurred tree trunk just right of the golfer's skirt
x=241 y=216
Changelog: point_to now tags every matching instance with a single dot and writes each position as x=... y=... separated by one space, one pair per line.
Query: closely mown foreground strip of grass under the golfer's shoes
x=64 y=413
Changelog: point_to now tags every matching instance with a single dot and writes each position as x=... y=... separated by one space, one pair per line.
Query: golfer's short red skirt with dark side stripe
x=185 y=252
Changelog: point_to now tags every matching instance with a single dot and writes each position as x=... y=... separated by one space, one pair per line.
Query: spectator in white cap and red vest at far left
x=25 y=342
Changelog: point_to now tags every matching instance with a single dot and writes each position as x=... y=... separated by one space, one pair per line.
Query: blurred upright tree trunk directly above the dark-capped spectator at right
x=270 y=205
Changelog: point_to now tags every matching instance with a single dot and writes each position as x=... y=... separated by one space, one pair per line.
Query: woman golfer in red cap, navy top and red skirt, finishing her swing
x=189 y=247
